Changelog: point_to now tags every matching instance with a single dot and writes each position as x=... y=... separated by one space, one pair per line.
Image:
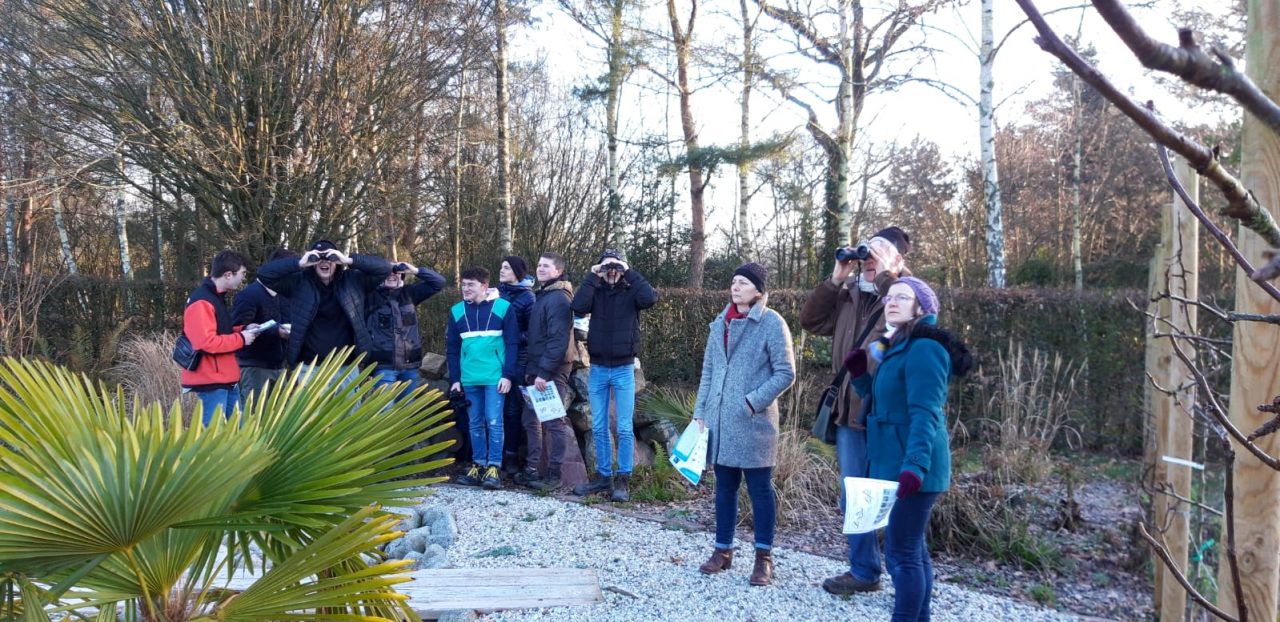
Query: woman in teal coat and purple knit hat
x=907 y=432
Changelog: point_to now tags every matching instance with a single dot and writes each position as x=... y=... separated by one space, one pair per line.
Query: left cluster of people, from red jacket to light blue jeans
x=518 y=336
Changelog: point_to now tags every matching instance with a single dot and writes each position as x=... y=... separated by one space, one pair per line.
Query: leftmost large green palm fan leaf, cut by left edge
x=104 y=483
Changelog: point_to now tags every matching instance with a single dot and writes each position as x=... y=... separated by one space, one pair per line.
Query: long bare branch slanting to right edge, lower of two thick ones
x=1241 y=204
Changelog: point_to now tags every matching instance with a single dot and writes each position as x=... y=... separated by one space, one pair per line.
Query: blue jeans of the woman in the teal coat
x=908 y=557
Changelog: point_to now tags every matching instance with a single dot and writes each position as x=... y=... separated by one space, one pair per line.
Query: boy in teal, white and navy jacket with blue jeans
x=483 y=339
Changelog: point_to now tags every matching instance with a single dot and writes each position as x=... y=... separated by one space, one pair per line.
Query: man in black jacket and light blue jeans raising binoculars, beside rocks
x=615 y=295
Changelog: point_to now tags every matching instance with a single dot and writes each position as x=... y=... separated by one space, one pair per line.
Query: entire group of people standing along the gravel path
x=897 y=362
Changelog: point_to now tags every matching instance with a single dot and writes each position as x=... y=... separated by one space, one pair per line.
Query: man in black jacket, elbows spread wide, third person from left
x=327 y=291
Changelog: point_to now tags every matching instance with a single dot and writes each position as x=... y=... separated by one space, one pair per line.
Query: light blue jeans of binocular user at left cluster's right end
x=623 y=381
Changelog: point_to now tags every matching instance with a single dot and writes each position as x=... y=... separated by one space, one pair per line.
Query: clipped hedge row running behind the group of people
x=84 y=318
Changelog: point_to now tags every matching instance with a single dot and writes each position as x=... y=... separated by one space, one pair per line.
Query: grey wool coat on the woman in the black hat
x=756 y=369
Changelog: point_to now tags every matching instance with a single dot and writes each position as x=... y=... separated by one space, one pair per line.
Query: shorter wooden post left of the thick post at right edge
x=1180 y=276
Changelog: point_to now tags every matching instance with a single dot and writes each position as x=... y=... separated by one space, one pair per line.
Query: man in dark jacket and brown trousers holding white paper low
x=551 y=323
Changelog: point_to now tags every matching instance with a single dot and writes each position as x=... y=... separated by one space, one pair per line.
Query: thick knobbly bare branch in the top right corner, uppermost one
x=1191 y=63
